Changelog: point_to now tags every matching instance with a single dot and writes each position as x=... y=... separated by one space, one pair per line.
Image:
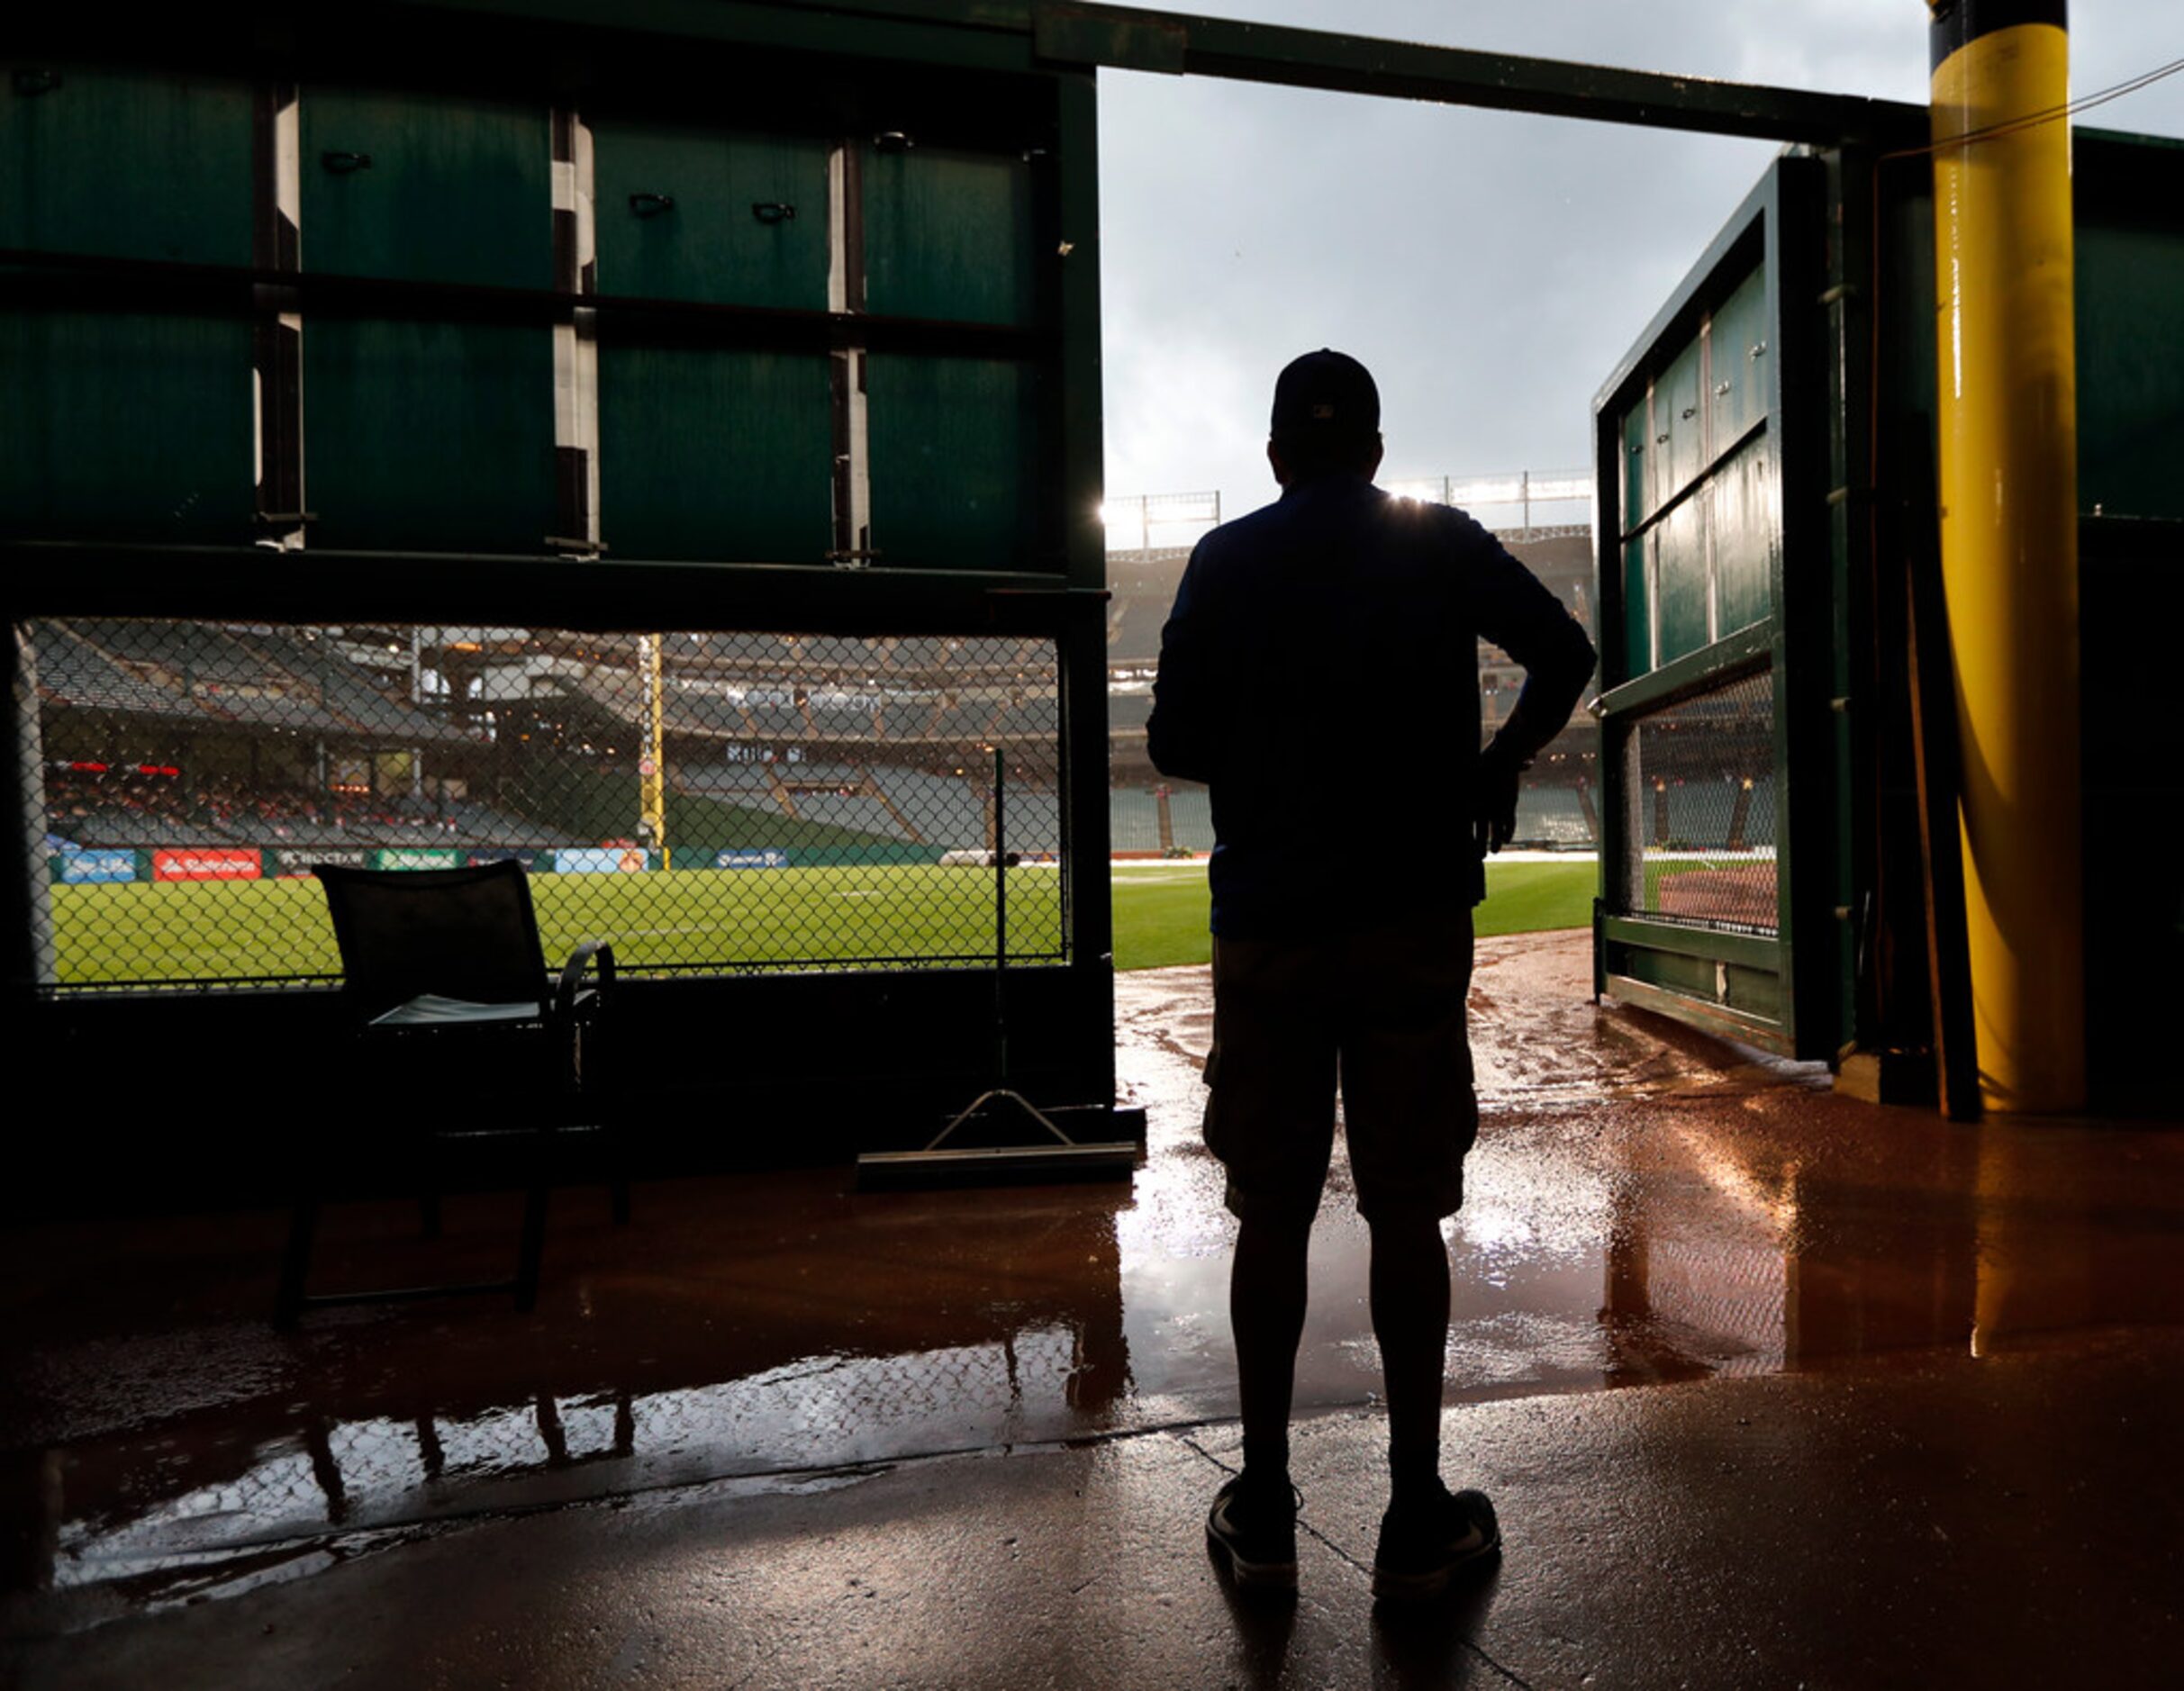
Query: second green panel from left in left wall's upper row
x=455 y=189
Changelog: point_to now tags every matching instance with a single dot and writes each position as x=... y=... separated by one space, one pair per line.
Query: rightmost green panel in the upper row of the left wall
x=949 y=235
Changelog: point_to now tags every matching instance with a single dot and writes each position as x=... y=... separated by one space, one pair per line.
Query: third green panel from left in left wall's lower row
x=715 y=456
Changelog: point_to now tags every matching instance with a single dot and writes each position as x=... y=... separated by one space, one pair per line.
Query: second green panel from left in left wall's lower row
x=429 y=436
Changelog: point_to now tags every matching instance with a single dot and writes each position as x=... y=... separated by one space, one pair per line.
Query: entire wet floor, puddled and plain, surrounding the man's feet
x=772 y=1358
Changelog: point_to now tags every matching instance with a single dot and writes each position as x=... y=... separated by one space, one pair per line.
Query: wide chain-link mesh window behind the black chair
x=707 y=801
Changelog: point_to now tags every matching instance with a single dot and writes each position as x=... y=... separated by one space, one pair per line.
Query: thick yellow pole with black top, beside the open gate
x=2008 y=434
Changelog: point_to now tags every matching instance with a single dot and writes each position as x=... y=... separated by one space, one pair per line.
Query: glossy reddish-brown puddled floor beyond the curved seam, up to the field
x=1646 y=1207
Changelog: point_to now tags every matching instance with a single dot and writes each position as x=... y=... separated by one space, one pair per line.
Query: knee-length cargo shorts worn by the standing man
x=1384 y=1013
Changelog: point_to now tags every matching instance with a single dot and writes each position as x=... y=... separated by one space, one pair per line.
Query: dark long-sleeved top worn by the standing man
x=1320 y=674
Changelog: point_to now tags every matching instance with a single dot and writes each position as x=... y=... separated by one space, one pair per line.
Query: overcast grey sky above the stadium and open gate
x=1491 y=270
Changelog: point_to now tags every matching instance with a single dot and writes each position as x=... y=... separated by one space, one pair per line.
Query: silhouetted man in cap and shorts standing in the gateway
x=1320 y=674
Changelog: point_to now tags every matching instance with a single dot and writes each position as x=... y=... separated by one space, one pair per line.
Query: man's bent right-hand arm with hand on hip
x=1521 y=617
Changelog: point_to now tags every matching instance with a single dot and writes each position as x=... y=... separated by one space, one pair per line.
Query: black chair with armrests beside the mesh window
x=444 y=975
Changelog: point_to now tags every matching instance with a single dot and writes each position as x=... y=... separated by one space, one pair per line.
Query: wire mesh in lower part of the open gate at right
x=1702 y=783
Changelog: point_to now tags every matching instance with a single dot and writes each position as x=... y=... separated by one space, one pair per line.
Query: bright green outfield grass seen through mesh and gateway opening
x=278 y=930
